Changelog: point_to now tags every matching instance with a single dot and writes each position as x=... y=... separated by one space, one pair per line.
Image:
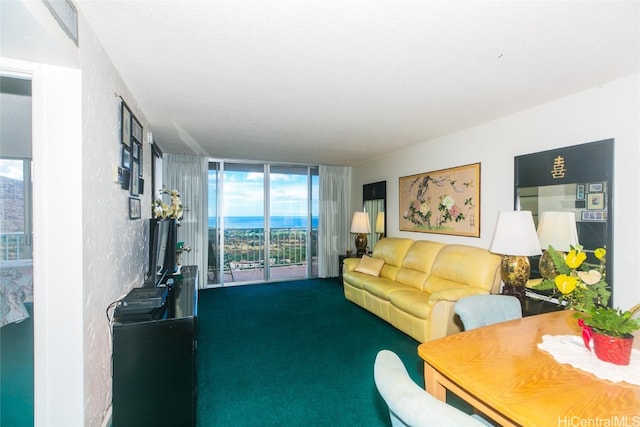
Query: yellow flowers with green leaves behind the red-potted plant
x=581 y=285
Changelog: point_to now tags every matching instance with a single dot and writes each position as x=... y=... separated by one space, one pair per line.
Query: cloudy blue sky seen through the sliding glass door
x=244 y=194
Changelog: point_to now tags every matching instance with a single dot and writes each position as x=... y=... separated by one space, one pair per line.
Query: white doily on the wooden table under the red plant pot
x=570 y=349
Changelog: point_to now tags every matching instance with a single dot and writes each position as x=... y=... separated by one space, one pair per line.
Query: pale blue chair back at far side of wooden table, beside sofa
x=482 y=310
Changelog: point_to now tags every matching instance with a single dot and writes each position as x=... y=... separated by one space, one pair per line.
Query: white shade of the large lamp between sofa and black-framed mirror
x=515 y=234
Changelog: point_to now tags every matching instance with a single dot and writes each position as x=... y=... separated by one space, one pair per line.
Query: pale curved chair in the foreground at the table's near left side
x=409 y=404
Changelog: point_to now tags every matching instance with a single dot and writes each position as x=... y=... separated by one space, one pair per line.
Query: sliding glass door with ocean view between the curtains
x=262 y=225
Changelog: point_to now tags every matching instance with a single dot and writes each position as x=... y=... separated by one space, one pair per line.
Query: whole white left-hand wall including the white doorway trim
x=88 y=253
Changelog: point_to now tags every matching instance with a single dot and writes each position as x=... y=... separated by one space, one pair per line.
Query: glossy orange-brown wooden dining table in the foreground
x=502 y=373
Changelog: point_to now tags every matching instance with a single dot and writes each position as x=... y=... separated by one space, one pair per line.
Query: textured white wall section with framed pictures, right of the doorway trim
x=114 y=245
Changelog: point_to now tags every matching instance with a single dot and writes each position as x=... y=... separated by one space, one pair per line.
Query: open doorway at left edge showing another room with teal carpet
x=16 y=255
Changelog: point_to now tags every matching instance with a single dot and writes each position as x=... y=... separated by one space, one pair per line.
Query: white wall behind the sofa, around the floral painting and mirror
x=611 y=110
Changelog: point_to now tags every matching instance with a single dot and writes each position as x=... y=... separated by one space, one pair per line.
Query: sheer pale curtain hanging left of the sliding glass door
x=188 y=175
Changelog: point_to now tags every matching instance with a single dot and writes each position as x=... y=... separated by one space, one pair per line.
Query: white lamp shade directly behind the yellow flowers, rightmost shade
x=559 y=230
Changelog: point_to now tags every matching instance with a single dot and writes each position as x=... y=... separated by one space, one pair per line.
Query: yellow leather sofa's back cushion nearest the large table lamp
x=458 y=265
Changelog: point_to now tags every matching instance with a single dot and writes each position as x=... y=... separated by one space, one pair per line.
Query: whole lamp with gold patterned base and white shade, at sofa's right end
x=515 y=239
